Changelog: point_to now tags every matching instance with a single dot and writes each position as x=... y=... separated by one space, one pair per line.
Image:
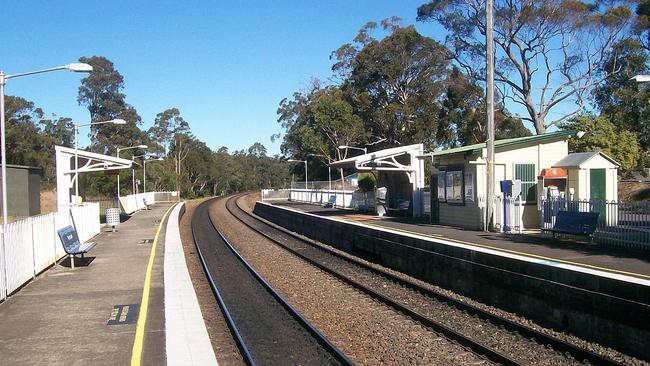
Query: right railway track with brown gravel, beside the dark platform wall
x=496 y=338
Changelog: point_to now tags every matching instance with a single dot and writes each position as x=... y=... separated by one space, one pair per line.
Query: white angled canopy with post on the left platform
x=88 y=162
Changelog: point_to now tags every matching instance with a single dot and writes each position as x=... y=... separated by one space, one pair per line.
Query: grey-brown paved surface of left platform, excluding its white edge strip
x=62 y=317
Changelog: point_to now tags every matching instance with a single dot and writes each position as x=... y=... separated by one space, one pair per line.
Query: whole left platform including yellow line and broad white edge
x=129 y=302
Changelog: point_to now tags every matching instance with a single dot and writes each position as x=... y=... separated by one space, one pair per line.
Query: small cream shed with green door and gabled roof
x=590 y=176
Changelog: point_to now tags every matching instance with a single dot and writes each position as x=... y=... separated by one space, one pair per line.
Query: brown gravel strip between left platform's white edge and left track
x=222 y=343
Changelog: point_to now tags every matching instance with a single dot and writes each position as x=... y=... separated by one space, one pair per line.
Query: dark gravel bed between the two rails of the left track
x=271 y=333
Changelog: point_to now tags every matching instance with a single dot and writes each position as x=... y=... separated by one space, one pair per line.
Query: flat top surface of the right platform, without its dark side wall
x=595 y=257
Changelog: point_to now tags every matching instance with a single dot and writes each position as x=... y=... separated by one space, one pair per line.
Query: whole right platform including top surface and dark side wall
x=593 y=292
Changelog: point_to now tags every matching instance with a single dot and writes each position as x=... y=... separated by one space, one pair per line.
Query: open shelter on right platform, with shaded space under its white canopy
x=399 y=175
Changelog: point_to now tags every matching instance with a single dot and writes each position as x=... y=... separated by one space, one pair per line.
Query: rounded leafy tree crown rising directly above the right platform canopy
x=394 y=83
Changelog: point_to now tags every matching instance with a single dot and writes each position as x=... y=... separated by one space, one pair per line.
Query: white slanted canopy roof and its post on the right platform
x=397 y=159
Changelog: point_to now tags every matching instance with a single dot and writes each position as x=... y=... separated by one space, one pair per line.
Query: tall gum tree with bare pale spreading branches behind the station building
x=548 y=52
